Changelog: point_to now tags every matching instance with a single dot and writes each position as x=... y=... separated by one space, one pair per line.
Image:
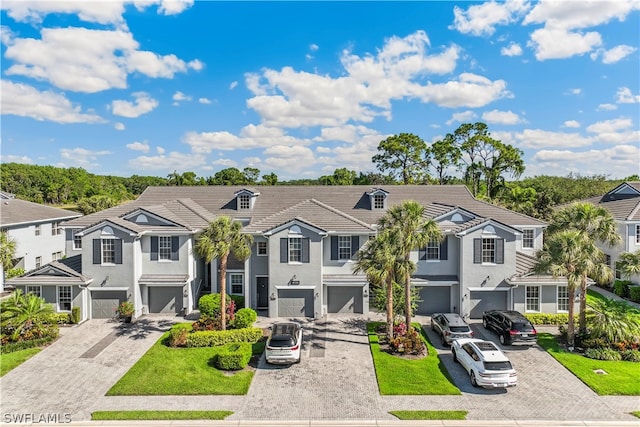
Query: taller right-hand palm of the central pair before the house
x=410 y=230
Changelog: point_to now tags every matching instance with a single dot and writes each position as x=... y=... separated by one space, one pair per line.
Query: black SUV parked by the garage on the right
x=511 y=326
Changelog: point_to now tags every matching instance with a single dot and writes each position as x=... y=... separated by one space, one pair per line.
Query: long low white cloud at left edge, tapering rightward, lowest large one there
x=26 y=101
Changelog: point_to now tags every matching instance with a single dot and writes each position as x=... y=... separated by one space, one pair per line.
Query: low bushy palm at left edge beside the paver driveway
x=19 y=311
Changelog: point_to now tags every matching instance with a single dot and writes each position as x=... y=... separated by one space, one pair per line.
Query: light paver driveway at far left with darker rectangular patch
x=67 y=376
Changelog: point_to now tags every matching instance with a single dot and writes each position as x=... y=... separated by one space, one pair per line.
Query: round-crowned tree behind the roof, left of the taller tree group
x=403 y=156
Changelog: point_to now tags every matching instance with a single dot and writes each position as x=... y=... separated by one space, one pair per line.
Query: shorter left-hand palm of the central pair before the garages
x=377 y=261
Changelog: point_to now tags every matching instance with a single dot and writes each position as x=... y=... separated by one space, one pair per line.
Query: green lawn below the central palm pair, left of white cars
x=398 y=376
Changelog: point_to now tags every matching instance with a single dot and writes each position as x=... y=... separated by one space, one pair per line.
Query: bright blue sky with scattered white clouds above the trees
x=303 y=88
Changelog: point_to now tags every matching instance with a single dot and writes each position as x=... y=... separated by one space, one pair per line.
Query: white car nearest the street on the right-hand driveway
x=486 y=365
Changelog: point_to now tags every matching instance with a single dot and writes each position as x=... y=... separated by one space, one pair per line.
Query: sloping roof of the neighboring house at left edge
x=21 y=212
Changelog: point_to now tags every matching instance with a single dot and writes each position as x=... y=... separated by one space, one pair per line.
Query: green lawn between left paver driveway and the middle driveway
x=181 y=371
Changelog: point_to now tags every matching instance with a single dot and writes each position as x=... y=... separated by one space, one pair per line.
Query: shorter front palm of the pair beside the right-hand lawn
x=573 y=255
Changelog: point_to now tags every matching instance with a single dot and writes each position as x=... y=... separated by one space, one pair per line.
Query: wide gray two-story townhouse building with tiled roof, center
x=306 y=240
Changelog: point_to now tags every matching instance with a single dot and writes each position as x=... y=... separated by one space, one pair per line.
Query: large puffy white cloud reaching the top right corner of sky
x=561 y=36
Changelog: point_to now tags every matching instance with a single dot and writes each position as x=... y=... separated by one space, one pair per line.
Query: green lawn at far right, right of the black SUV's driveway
x=621 y=379
